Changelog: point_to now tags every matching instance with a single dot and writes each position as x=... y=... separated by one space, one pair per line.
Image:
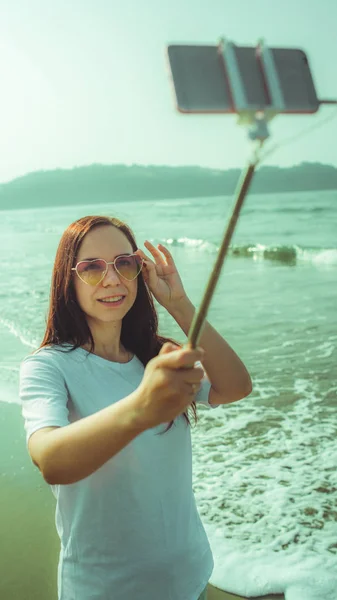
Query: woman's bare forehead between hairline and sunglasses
x=104 y=240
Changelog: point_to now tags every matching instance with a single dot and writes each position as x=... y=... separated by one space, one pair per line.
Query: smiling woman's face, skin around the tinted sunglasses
x=105 y=242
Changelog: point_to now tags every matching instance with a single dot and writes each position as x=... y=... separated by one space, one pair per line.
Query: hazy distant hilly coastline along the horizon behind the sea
x=113 y=183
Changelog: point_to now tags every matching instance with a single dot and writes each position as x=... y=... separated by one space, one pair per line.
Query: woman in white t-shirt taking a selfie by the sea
x=105 y=401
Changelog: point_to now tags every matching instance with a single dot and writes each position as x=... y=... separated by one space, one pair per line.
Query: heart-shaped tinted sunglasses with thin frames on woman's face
x=93 y=271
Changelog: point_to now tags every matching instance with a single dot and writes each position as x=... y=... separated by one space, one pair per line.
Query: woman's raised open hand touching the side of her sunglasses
x=161 y=276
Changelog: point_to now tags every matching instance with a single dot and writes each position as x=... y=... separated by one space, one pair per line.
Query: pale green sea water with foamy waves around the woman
x=264 y=468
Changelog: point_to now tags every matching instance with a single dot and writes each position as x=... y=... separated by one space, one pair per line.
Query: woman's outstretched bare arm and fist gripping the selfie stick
x=70 y=453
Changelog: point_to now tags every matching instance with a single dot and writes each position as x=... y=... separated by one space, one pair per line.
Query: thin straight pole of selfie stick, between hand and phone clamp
x=200 y=316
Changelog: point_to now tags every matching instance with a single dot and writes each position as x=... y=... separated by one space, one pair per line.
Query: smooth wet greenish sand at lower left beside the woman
x=29 y=544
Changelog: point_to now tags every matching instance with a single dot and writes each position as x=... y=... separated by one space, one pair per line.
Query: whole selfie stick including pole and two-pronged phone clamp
x=256 y=118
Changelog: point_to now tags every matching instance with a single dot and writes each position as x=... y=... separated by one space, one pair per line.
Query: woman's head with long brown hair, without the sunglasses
x=75 y=305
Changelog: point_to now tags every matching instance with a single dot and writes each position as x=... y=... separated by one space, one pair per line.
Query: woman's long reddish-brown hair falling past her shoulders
x=66 y=322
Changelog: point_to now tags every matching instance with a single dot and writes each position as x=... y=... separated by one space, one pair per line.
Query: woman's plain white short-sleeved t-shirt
x=131 y=530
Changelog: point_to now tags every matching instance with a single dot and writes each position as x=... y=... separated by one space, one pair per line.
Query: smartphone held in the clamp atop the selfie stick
x=202 y=83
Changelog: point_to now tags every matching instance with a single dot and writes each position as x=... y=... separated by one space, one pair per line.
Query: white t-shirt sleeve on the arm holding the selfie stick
x=43 y=394
